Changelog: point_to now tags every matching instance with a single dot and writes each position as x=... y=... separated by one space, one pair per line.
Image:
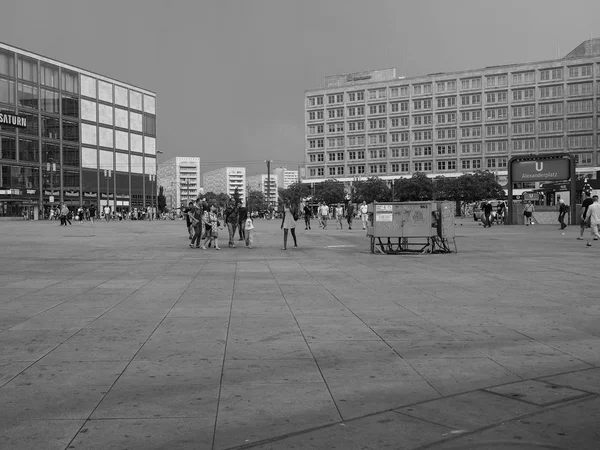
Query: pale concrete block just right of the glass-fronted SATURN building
x=180 y=179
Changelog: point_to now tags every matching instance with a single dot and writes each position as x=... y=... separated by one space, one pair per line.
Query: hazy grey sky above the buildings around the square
x=230 y=75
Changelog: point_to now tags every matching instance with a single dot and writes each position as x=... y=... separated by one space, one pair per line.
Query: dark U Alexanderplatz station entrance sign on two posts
x=550 y=167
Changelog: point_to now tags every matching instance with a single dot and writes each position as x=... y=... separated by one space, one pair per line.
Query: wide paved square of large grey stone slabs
x=123 y=336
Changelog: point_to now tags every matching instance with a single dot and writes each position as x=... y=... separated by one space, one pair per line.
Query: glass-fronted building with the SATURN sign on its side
x=67 y=134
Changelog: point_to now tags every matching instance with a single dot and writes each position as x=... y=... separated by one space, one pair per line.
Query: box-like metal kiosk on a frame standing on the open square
x=412 y=227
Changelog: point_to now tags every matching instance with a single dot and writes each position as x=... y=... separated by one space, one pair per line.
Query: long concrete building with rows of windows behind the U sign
x=374 y=123
